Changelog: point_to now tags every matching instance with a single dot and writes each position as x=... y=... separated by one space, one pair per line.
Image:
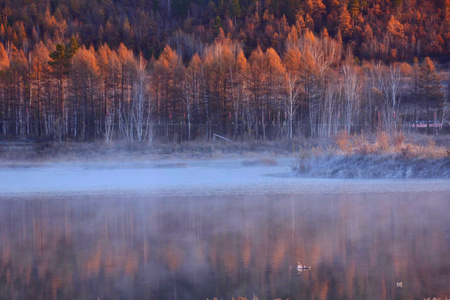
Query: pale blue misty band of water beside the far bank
x=192 y=177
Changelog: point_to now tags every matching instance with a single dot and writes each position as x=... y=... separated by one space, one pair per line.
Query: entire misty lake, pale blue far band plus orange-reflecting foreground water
x=223 y=228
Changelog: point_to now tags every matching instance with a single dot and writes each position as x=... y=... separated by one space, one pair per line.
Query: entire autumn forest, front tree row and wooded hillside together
x=184 y=70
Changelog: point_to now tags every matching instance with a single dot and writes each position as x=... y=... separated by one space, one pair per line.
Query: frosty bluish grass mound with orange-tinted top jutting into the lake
x=396 y=156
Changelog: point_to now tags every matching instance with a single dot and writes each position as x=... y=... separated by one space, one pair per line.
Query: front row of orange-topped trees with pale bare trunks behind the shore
x=314 y=88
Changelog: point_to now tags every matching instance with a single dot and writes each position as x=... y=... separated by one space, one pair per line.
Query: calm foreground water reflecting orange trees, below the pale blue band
x=359 y=245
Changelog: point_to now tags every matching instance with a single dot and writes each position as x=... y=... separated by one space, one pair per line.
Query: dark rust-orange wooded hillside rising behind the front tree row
x=376 y=29
